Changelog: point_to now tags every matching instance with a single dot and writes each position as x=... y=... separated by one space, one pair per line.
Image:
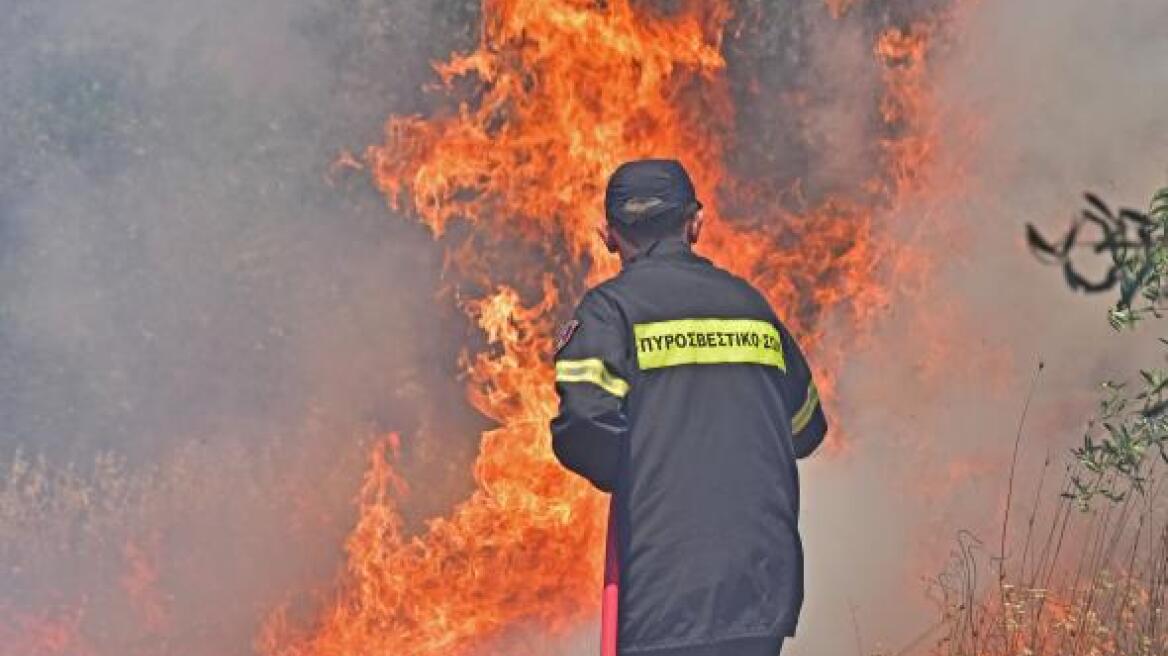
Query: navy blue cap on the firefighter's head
x=645 y=191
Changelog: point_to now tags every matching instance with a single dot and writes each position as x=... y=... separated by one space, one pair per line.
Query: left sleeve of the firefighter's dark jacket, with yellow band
x=593 y=374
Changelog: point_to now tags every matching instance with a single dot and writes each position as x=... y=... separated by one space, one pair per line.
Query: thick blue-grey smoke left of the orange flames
x=201 y=322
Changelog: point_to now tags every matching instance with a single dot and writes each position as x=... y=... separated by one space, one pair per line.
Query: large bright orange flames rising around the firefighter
x=565 y=90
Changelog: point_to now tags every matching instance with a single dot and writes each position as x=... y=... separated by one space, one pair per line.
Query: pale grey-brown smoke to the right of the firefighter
x=1040 y=101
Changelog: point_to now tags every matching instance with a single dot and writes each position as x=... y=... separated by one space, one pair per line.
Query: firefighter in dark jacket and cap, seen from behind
x=684 y=396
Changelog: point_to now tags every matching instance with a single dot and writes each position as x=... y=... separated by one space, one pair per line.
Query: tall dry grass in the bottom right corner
x=1076 y=583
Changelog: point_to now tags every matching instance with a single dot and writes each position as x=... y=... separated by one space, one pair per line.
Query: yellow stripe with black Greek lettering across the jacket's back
x=708 y=341
